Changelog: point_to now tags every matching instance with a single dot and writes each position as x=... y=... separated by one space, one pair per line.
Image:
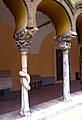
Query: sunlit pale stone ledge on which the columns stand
x=52 y=110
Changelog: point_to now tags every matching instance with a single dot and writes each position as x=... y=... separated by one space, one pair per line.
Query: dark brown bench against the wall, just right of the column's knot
x=36 y=81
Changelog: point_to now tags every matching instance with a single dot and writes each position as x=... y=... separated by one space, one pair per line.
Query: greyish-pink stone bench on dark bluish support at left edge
x=5 y=82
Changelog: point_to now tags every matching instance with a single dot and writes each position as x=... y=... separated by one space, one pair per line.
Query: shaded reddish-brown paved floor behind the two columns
x=37 y=96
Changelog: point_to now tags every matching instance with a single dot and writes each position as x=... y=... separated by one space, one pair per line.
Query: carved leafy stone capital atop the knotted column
x=23 y=38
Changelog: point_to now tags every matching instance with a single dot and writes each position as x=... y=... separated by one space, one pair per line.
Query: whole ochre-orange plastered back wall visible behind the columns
x=41 y=63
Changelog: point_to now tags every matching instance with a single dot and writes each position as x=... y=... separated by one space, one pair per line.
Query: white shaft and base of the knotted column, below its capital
x=24 y=92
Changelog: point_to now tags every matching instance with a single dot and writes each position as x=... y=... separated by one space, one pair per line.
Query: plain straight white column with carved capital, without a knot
x=65 y=46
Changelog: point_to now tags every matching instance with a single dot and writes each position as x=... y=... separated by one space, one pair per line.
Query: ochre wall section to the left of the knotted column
x=9 y=54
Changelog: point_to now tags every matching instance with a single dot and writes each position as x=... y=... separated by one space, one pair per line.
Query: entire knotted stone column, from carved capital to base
x=23 y=42
